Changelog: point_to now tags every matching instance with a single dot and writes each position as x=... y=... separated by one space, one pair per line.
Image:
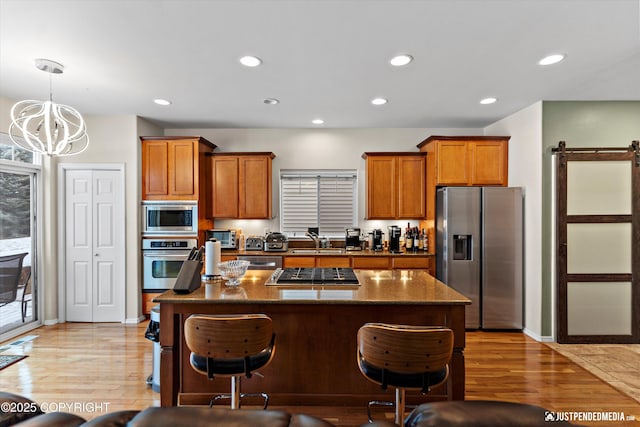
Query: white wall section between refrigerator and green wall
x=525 y=170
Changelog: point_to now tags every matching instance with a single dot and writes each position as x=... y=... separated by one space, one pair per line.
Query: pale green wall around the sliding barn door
x=580 y=124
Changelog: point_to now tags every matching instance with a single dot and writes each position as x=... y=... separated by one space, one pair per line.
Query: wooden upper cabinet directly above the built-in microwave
x=171 y=167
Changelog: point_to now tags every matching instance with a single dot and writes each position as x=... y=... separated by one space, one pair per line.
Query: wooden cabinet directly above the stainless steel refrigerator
x=468 y=160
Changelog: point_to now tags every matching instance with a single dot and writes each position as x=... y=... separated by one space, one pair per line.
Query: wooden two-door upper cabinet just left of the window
x=240 y=185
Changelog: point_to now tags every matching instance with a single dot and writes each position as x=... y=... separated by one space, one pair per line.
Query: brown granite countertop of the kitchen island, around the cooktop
x=376 y=287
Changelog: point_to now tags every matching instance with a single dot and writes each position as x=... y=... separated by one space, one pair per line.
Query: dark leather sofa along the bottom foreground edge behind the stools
x=440 y=414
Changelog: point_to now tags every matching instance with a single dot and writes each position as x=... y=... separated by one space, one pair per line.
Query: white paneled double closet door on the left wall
x=94 y=246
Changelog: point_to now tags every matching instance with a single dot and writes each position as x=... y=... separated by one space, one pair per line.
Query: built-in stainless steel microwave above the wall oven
x=168 y=217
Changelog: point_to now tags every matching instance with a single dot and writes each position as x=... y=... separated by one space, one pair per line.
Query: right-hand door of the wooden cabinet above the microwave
x=183 y=162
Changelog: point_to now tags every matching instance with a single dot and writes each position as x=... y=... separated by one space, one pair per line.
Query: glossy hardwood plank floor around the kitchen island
x=89 y=369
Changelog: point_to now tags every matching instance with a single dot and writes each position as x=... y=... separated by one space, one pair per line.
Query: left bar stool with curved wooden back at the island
x=230 y=346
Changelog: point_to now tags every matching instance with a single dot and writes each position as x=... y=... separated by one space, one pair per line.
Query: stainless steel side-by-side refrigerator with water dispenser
x=479 y=252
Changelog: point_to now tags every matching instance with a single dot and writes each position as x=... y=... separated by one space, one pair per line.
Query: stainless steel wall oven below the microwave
x=162 y=260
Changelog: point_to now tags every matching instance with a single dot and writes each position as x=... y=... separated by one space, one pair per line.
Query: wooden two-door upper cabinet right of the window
x=395 y=185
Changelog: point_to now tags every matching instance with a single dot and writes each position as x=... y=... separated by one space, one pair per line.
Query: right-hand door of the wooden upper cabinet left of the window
x=255 y=187
